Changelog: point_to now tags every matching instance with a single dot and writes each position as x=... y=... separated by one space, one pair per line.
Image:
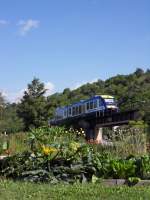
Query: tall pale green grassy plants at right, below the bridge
x=128 y=140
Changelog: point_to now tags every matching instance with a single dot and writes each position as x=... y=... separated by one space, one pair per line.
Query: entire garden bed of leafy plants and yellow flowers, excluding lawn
x=58 y=155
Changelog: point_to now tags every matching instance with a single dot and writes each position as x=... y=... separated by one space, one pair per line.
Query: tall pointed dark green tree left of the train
x=33 y=106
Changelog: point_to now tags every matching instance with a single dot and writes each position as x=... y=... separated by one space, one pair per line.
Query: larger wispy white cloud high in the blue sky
x=28 y=25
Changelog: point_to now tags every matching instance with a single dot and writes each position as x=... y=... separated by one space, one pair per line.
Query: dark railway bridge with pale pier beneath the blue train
x=93 y=124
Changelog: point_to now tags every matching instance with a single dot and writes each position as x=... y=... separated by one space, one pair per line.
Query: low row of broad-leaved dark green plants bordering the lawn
x=37 y=167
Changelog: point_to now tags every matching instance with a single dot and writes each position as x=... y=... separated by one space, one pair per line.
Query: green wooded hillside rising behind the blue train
x=131 y=91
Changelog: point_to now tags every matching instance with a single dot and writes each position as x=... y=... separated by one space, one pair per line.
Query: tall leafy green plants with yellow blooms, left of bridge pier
x=65 y=141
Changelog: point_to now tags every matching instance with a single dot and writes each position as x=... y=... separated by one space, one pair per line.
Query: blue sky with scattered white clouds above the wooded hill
x=66 y=43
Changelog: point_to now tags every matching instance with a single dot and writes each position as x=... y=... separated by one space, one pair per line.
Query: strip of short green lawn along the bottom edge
x=15 y=191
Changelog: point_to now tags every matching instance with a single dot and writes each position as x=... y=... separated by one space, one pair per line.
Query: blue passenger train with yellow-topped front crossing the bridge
x=97 y=103
